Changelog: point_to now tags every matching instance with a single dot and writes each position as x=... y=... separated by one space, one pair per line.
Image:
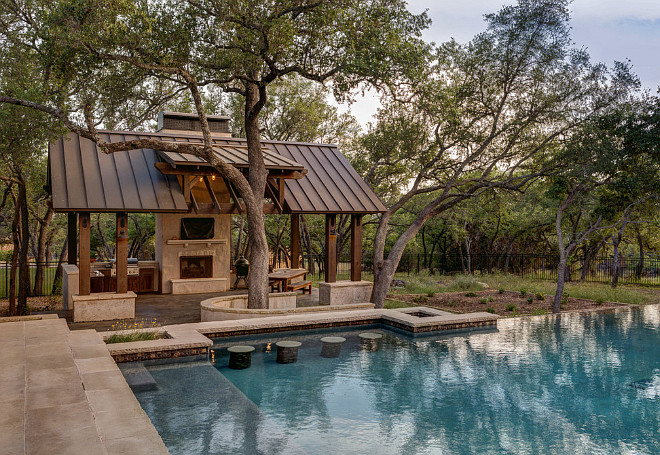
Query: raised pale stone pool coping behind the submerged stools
x=196 y=338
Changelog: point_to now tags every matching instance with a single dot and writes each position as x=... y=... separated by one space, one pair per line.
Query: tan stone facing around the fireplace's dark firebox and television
x=168 y=227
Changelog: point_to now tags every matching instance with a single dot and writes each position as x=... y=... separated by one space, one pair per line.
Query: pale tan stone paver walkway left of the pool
x=61 y=393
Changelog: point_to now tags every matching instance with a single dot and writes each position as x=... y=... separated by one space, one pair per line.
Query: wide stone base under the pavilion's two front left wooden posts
x=105 y=306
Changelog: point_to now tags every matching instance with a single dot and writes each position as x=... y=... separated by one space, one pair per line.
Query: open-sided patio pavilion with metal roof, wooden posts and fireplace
x=188 y=195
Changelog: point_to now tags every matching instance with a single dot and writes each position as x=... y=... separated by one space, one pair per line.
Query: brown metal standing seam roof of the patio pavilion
x=82 y=178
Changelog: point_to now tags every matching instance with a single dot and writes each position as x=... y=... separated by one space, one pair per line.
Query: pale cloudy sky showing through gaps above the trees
x=610 y=30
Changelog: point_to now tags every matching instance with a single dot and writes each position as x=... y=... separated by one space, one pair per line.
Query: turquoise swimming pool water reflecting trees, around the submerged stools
x=575 y=384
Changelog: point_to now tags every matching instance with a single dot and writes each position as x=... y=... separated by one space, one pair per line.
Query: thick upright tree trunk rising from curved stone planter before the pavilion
x=258 y=281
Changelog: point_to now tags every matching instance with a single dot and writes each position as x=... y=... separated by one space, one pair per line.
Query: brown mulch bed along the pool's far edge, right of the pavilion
x=466 y=302
